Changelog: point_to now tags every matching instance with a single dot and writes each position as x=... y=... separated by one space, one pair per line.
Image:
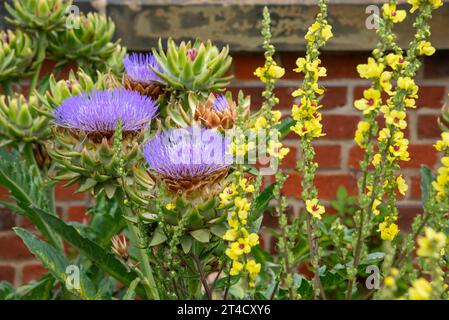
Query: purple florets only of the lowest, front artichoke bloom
x=180 y=154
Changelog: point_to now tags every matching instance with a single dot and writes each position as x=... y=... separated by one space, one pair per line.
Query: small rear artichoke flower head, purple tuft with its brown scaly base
x=140 y=75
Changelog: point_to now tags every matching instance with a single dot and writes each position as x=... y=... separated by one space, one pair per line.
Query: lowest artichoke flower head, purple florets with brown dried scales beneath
x=190 y=161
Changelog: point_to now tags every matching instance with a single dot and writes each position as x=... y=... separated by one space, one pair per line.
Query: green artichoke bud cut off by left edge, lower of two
x=21 y=121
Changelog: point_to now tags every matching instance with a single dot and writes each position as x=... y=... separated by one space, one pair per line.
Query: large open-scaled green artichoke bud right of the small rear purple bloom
x=198 y=67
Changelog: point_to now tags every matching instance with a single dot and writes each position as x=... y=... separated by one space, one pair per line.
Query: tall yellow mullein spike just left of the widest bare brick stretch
x=308 y=126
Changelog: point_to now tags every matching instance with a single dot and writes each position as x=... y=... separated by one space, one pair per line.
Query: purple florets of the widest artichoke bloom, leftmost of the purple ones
x=99 y=111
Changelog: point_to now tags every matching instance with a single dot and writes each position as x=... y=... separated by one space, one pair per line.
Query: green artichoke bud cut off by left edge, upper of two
x=16 y=54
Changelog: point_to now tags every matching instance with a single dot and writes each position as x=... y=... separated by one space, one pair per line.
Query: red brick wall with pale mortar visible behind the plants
x=337 y=154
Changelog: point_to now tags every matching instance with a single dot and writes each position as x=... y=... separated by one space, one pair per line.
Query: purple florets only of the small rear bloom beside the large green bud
x=137 y=67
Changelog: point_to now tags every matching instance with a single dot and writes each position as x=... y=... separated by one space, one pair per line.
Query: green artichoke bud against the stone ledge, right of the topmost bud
x=89 y=45
